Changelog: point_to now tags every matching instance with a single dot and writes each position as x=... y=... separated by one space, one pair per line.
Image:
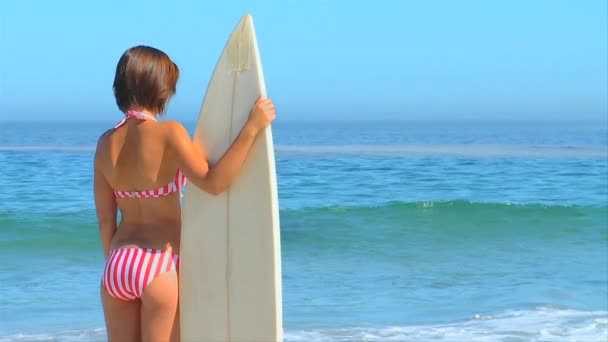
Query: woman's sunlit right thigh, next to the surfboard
x=159 y=309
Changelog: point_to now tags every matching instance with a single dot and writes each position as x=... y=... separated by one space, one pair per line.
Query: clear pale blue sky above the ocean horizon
x=322 y=59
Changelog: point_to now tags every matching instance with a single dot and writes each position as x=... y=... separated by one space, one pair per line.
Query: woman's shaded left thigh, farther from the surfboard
x=122 y=317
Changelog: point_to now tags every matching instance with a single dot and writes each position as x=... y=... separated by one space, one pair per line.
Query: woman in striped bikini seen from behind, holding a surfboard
x=139 y=168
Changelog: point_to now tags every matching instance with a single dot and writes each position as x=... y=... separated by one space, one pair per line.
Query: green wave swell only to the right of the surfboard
x=393 y=226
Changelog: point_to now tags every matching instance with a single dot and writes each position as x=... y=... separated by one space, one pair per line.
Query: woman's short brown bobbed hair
x=146 y=78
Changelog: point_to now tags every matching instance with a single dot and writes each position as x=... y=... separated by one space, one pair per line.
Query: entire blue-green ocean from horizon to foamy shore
x=391 y=231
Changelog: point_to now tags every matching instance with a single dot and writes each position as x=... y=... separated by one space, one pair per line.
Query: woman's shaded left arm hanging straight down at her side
x=105 y=206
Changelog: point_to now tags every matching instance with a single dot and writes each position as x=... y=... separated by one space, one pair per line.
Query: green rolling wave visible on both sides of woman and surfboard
x=384 y=224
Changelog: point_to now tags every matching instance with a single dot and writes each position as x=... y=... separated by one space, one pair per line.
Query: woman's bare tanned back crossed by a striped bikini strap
x=137 y=164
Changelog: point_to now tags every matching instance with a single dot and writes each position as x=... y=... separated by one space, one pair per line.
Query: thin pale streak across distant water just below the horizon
x=453 y=150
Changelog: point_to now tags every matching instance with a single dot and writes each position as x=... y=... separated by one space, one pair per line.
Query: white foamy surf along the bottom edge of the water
x=541 y=324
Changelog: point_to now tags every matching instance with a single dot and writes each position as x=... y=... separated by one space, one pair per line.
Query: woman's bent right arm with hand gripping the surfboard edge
x=215 y=180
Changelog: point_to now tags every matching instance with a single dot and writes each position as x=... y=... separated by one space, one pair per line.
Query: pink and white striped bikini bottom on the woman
x=129 y=271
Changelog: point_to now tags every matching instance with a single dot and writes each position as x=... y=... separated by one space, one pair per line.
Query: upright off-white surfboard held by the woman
x=230 y=275
